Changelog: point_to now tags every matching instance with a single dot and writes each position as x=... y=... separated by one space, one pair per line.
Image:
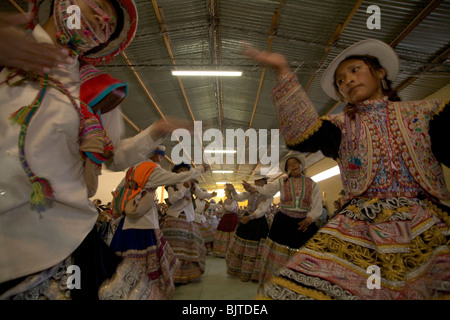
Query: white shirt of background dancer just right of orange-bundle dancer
x=179 y=203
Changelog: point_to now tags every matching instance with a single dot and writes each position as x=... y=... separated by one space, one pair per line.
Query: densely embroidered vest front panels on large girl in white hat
x=408 y=125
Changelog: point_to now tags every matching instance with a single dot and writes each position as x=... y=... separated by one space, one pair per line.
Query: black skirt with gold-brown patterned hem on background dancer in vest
x=282 y=242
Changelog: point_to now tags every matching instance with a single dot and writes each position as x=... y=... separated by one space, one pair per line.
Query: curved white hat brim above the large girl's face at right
x=382 y=51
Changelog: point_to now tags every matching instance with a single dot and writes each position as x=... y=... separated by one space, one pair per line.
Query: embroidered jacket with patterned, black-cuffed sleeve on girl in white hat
x=388 y=144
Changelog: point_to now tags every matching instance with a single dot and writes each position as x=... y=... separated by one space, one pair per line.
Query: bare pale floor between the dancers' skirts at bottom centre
x=216 y=284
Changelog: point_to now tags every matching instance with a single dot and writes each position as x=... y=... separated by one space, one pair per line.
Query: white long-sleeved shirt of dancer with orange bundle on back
x=158 y=177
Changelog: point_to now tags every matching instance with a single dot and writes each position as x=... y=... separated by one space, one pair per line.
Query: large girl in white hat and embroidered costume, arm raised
x=389 y=154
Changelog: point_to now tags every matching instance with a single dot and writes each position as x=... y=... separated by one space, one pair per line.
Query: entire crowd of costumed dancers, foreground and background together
x=61 y=121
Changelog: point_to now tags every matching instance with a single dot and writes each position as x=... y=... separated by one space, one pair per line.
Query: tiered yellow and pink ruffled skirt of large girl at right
x=396 y=248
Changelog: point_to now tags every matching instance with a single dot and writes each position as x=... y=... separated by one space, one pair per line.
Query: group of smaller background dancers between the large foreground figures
x=189 y=225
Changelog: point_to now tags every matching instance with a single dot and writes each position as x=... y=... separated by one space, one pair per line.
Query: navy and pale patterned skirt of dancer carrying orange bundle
x=148 y=266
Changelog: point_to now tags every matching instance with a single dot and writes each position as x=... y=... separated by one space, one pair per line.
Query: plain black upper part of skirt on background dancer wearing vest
x=284 y=231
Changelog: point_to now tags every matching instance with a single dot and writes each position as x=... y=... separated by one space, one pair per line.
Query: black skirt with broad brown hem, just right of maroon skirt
x=244 y=255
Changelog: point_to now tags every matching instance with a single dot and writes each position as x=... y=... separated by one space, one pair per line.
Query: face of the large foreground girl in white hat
x=356 y=82
